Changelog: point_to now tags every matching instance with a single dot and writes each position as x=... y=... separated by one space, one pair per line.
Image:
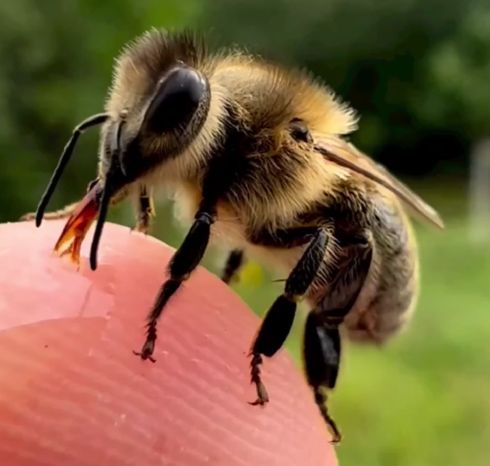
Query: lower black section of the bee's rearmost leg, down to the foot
x=322 y=359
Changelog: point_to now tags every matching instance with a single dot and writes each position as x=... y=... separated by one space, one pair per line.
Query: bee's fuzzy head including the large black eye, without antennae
x=159 y=101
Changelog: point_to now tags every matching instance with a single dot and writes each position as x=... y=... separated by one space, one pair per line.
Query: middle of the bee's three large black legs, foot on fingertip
x=279 y=319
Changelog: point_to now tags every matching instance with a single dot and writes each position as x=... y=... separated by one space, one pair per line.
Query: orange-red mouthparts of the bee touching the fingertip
x=75 y=230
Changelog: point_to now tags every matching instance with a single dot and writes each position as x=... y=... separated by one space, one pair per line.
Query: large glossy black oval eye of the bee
x=176 y=100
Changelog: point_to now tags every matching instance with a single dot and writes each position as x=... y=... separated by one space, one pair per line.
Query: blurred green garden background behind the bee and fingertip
x=419 y=73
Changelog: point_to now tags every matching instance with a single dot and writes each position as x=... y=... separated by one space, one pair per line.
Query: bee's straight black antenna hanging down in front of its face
x=106 y=194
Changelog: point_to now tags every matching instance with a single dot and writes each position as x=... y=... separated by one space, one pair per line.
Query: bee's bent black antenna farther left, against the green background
x=63 y=161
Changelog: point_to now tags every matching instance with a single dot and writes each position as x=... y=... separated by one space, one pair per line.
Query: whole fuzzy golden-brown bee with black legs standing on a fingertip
x=258 y=161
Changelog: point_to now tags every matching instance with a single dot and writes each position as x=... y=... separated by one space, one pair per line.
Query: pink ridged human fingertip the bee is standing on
x=73 y=394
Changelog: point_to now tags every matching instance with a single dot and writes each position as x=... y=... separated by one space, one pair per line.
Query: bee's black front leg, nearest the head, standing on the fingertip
x=184 y=261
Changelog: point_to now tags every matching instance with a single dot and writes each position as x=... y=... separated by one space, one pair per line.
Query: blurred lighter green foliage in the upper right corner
x=457 y=90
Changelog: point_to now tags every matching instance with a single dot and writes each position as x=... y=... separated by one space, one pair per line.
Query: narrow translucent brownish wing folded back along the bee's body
x=347 y=155
